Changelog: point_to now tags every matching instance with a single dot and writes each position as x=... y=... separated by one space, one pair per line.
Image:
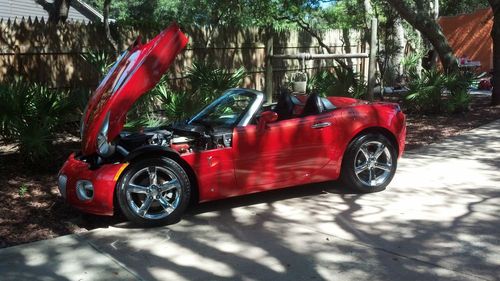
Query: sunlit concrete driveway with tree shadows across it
x=438 y=220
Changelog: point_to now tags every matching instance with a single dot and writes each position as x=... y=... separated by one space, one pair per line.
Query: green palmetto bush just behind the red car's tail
x=436 y=92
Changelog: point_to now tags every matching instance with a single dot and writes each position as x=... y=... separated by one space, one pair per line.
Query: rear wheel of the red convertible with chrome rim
x=360 y=172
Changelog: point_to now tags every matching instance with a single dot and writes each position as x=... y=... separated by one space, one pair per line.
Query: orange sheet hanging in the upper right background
x=469 y=35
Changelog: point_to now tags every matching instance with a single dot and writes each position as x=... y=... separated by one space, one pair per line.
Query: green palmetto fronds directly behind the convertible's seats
x=339 y=82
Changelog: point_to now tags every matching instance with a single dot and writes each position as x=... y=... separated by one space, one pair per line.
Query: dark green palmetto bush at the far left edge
x=29 y=116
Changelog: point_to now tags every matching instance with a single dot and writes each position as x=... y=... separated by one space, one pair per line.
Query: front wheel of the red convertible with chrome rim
x=165 y=207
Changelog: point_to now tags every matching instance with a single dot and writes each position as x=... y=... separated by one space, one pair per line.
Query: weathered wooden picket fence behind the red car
x=51 y=54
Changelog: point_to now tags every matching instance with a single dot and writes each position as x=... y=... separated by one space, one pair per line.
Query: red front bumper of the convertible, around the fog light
x=103 y=180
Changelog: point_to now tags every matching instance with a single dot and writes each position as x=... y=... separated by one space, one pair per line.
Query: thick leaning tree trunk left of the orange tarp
x=430 y=29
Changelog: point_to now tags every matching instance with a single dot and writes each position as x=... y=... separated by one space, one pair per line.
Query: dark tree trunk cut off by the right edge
x=495 y=35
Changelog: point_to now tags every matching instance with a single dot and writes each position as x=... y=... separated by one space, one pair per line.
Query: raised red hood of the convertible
x=135 y=72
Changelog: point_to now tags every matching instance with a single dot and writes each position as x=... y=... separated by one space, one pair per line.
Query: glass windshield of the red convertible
x=225 y=111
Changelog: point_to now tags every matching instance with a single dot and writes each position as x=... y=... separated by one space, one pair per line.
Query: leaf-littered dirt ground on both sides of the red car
x=32 y=208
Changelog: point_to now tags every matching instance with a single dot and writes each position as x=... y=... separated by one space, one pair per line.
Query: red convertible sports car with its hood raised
x=237 y=145
